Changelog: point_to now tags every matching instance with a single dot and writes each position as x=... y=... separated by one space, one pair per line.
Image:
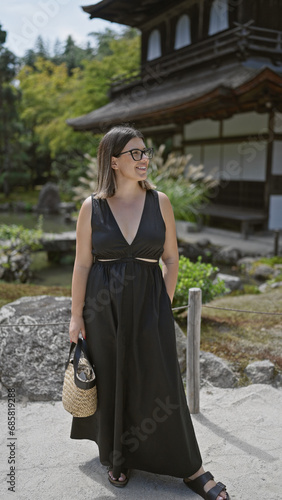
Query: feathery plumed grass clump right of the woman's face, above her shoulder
x=186 y=185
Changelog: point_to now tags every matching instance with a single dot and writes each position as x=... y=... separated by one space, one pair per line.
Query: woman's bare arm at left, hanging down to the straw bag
x=82 y=265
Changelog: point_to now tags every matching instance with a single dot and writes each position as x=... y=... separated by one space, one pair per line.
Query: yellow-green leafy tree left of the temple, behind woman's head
x=51 y=95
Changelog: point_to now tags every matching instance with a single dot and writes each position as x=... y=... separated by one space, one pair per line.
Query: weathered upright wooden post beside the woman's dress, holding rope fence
x=193 y=349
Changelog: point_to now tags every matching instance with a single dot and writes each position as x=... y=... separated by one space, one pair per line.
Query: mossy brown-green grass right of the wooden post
x=239 y=337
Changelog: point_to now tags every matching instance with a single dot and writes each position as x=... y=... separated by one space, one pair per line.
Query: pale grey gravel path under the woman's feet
x=239 y=432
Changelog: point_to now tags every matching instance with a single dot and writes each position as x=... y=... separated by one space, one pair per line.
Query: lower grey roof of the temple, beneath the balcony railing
x=219 y=94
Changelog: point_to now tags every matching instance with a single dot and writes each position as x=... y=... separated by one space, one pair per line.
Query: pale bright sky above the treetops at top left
x=24 y=21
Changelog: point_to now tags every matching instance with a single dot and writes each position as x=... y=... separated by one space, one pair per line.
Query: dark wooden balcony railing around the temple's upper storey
x=242 y=40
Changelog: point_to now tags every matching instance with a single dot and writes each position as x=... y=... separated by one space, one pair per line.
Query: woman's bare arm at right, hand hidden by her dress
x=170 y=255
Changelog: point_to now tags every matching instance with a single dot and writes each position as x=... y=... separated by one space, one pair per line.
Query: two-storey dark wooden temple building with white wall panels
x=210 y=79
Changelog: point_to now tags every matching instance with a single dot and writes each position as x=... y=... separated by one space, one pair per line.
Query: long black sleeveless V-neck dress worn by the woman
x=142 y=421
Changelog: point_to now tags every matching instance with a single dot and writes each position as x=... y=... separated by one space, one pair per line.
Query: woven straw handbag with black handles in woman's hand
x=79 y=390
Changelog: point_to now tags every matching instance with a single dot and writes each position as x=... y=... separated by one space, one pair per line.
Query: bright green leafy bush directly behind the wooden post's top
x=197 y=275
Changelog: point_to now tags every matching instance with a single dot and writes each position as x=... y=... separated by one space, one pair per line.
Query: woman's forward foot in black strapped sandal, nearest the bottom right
x=202 y=483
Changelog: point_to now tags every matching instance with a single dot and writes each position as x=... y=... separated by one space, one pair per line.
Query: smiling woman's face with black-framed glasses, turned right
x=125 y=166
